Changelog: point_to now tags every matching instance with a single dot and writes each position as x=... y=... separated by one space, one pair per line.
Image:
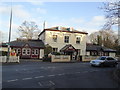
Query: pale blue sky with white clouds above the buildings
x=82 y=16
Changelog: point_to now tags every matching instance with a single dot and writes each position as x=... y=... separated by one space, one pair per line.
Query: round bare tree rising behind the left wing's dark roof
x=28 y=30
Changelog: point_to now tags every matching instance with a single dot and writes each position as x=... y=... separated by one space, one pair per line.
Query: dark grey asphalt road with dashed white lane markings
x=57 y=75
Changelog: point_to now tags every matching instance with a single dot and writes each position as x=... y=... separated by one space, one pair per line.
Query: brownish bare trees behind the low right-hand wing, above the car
x=106 y=38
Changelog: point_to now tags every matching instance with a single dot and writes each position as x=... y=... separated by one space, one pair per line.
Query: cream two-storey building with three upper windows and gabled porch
x=66 y=40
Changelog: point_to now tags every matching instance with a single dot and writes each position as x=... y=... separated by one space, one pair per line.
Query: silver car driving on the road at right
x=104 y=61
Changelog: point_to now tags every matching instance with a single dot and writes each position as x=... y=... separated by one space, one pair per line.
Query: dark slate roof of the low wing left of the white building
x=32 y=43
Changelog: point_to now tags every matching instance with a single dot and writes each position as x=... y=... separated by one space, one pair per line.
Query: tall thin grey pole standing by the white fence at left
x=8 y=55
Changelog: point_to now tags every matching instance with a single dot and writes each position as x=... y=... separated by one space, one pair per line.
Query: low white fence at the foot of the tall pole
x=11 y=59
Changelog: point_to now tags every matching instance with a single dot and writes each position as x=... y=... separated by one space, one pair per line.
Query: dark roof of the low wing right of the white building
x=91 y=47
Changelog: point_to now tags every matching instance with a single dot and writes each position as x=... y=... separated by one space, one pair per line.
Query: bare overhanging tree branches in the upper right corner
x=112 y=10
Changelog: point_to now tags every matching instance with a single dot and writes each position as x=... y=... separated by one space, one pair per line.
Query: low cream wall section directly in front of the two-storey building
x=60 y=58
